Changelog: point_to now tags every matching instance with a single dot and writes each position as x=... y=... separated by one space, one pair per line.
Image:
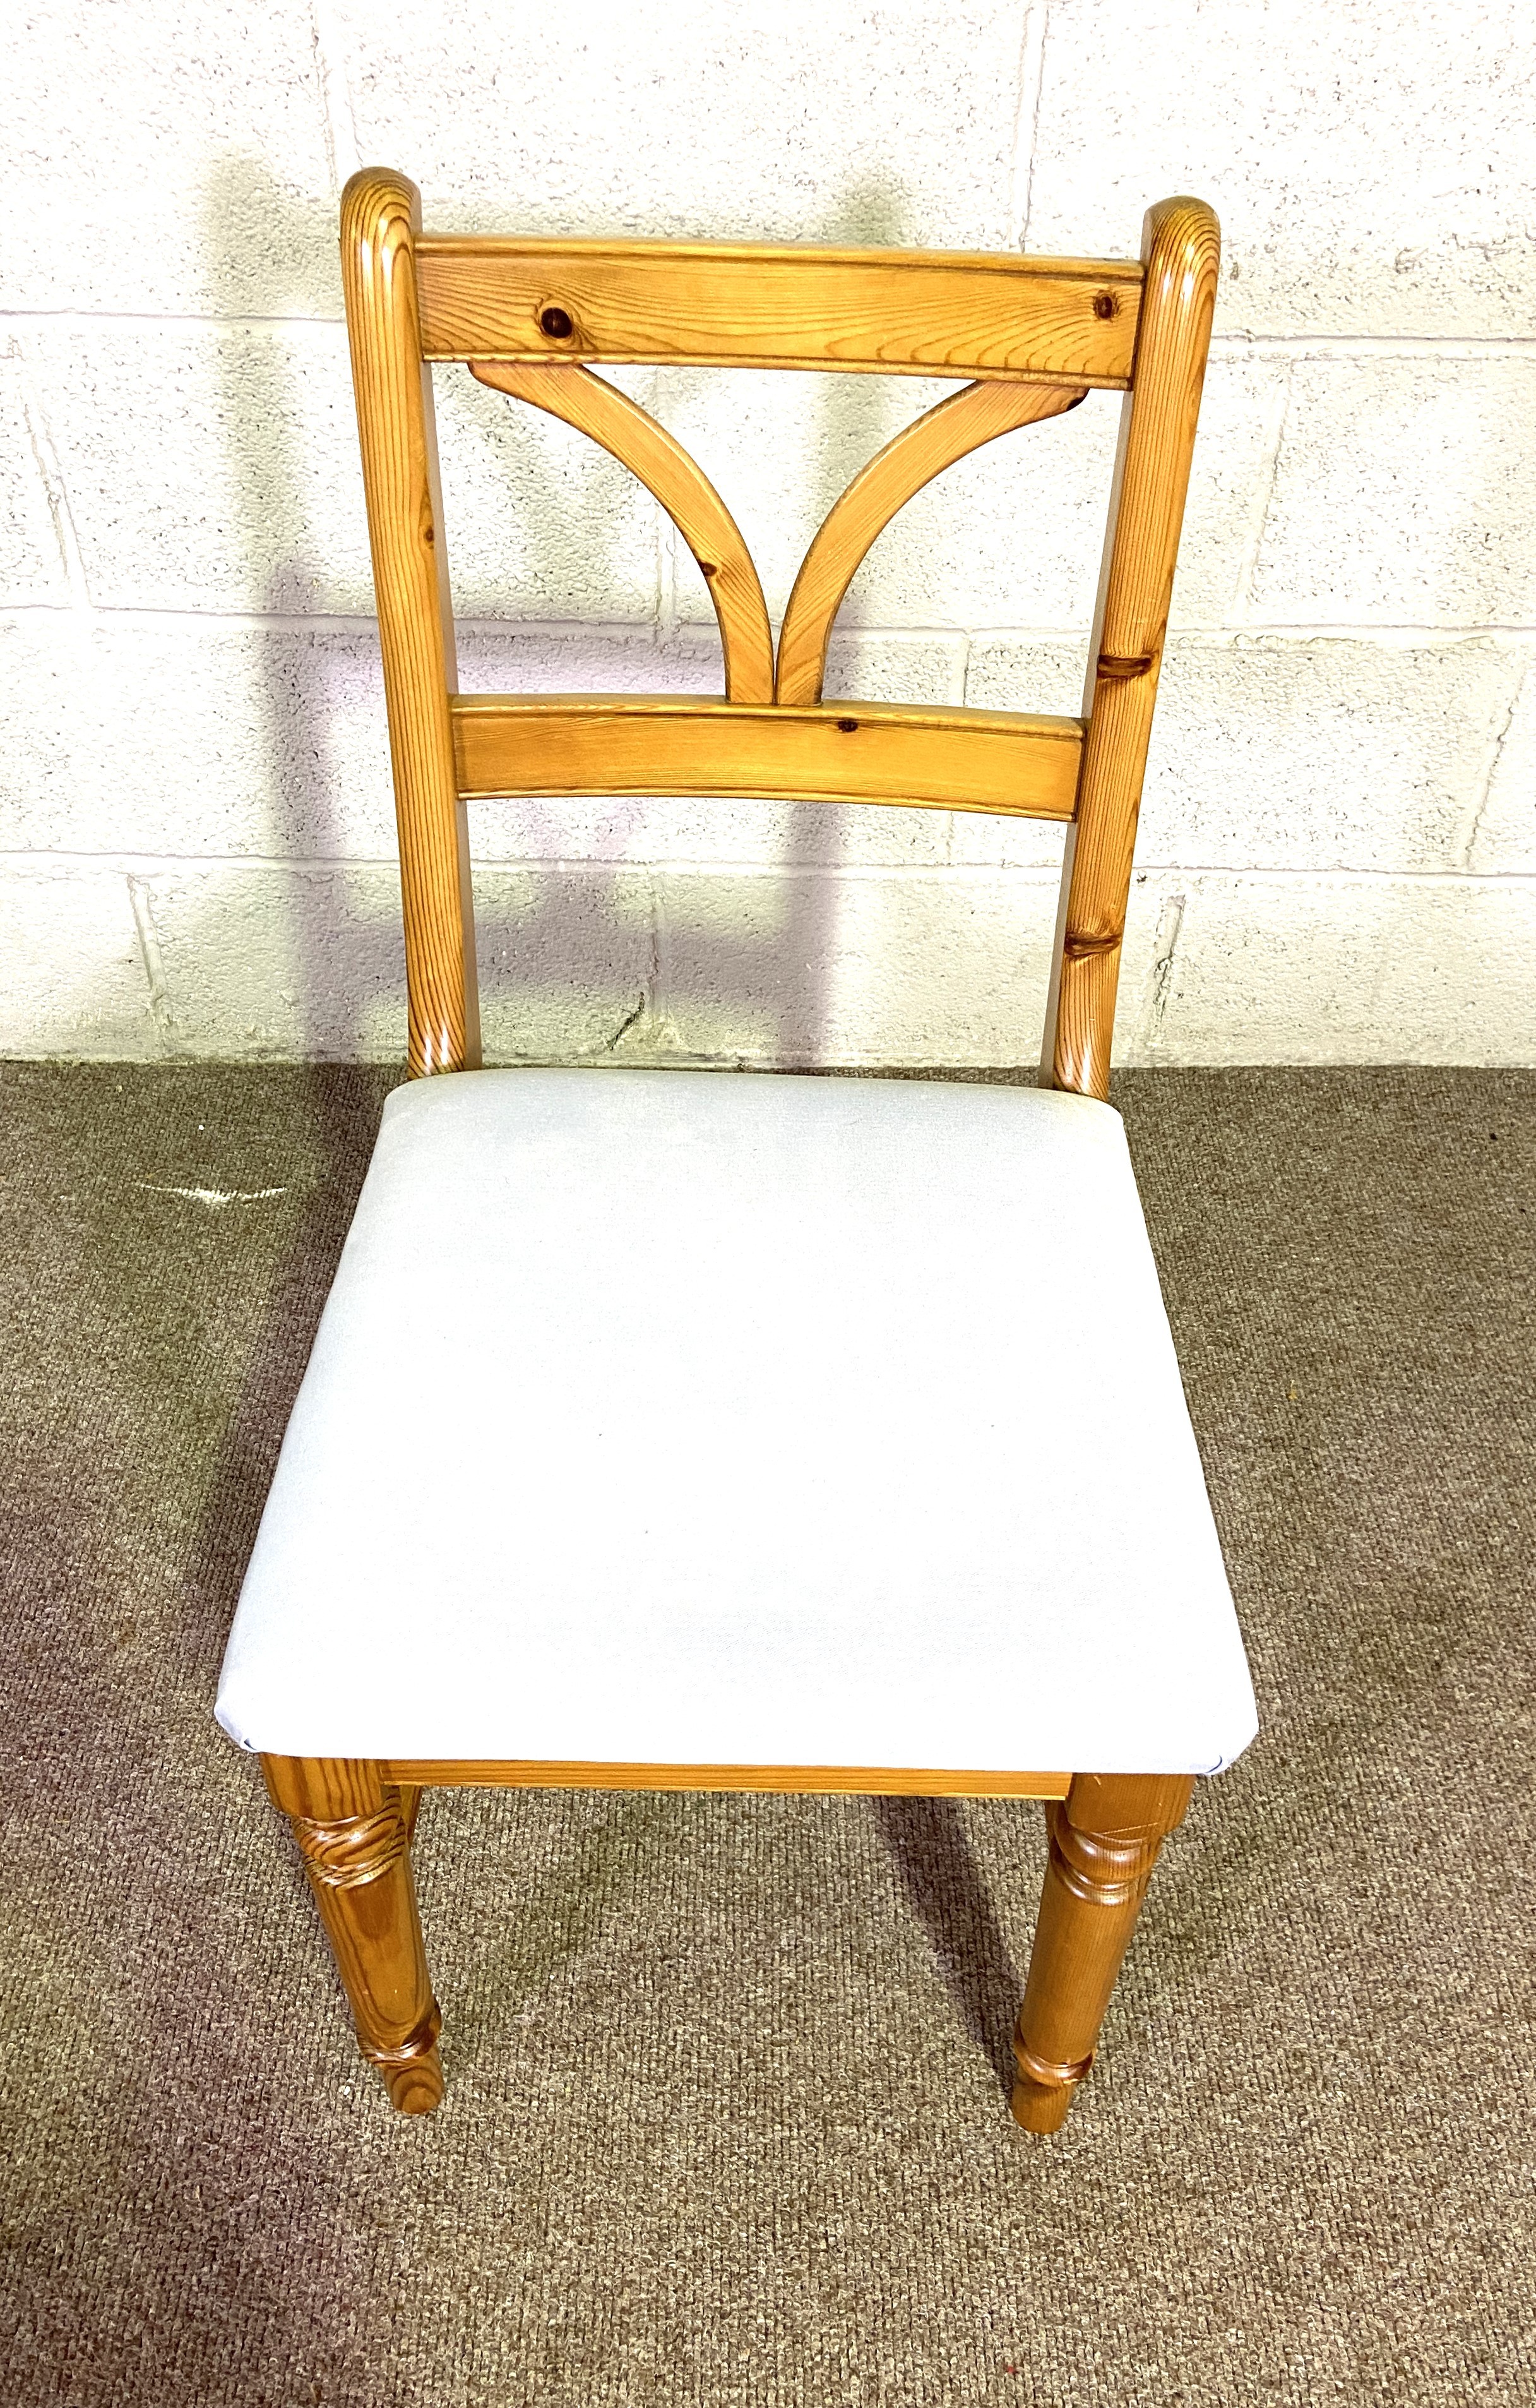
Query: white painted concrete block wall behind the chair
x=1340 y=834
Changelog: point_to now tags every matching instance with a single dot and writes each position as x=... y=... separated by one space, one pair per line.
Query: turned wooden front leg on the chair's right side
x=1104 y=1843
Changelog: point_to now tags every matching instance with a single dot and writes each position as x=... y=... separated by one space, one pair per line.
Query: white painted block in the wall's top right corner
x=1373 y=167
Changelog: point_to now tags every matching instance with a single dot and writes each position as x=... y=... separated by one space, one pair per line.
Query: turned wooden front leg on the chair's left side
x=353 y=1834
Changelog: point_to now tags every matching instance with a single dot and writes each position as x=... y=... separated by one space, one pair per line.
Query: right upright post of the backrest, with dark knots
x=1147 y=512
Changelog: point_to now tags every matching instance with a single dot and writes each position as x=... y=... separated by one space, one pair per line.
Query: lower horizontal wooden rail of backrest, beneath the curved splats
x=825 y=752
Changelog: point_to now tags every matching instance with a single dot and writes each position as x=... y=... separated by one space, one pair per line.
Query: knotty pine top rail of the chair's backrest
x=779 y=307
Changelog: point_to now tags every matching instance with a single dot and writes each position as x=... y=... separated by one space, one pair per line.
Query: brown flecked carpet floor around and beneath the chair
x=726 y=2113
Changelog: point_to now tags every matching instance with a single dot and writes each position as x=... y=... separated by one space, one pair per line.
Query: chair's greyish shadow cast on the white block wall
x=577 y=957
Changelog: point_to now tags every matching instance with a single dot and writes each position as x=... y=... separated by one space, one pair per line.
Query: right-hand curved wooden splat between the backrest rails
x=914 y=459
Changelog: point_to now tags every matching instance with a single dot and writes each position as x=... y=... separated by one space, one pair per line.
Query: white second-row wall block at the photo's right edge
x=1405 y=495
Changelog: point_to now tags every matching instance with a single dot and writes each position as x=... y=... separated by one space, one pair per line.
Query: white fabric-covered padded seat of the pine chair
x=702 y=1417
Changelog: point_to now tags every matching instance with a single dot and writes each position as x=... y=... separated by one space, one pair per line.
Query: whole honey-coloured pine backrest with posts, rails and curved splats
x=528 y=317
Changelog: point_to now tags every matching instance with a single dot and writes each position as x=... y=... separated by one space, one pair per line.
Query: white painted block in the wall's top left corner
x=170 y=160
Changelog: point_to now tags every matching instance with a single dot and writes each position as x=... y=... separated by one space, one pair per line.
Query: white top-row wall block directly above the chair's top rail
x=772 y=119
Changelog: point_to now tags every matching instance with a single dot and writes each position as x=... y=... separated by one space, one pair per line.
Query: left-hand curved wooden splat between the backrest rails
x=683 y=490
